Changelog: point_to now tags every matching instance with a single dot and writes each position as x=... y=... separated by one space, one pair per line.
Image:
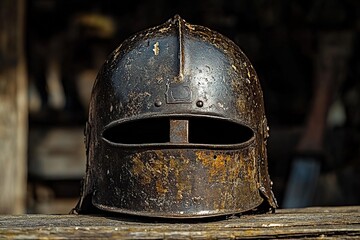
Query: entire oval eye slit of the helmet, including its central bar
x=178 y=130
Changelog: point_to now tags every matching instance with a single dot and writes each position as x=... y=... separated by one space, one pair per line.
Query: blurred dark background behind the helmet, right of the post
x=288 y=41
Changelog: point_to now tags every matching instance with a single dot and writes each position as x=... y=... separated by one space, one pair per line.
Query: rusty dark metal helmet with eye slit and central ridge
x=177 y=128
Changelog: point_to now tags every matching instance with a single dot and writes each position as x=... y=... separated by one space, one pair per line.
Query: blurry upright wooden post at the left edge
x=13 y=108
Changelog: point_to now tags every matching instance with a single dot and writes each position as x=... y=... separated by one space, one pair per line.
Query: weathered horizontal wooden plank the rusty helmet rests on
x=329 y=223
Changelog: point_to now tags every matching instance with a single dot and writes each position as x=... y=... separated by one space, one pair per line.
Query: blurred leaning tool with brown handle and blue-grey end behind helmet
x=334 y=51
